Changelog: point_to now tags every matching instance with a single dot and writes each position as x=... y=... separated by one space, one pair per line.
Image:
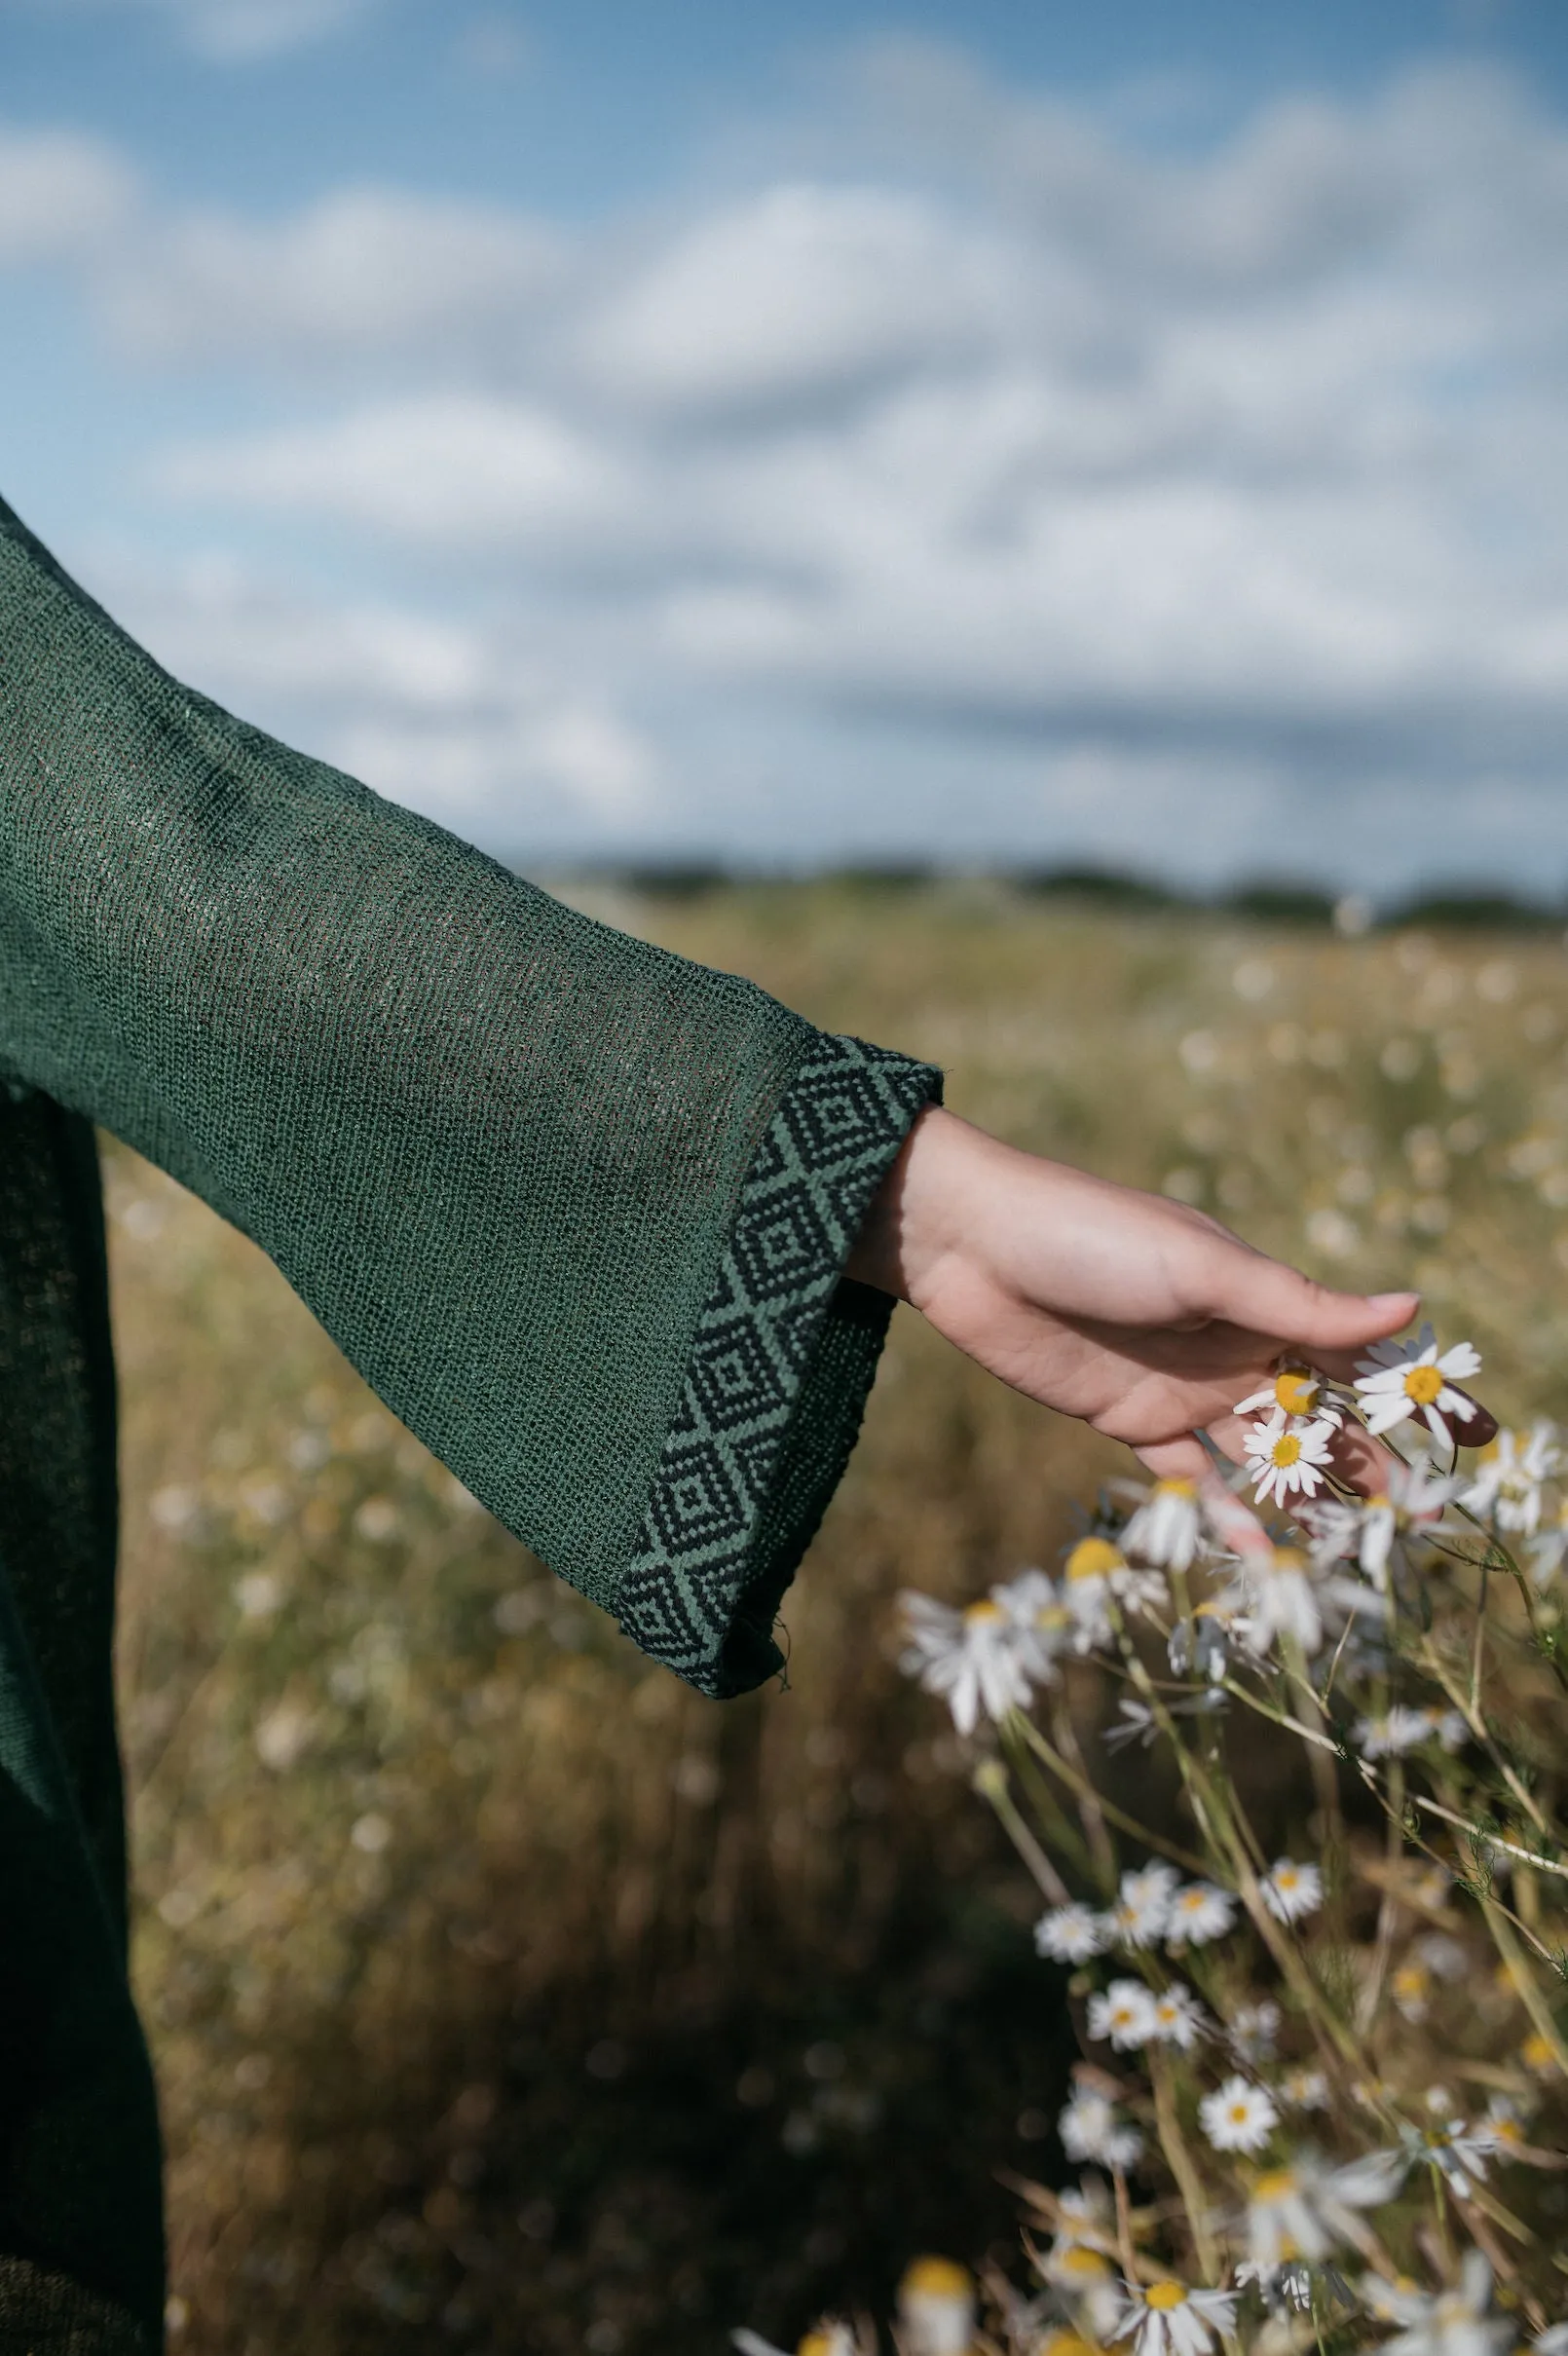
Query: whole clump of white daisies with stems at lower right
x=1244 y=2093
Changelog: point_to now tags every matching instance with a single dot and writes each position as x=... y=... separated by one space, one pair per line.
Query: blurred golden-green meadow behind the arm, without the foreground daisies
x=510 y=1997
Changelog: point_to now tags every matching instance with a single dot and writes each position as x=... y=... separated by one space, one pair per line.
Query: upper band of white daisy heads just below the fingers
x=1322 y=1589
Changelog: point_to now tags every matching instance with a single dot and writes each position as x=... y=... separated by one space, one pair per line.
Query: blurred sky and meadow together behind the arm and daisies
x=1037 y=534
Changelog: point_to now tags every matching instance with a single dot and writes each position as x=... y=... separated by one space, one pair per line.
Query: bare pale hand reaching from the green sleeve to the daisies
x=1134 y=1313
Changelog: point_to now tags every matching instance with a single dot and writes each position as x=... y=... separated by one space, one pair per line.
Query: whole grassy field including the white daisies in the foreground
x=1157 y=1950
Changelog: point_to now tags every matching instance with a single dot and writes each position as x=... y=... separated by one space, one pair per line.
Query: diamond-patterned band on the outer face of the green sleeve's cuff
x=809 y=1189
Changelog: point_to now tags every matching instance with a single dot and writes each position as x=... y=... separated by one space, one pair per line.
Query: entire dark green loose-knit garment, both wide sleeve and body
x=578 y=1210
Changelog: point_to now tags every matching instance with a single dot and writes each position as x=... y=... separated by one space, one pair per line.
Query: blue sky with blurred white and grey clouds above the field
x=969 y=430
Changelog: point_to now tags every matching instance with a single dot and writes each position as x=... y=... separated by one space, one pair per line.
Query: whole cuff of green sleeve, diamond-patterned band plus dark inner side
x=778 y=1379
